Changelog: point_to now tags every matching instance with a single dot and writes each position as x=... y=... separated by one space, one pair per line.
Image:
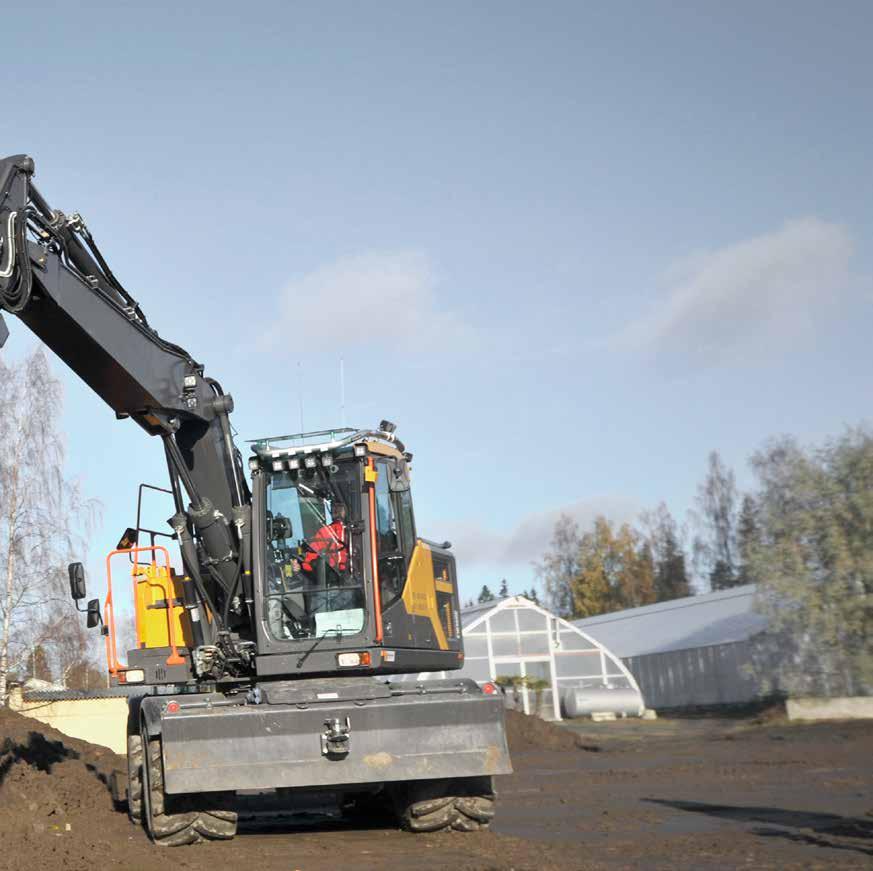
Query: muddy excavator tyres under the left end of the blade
x=177 y=821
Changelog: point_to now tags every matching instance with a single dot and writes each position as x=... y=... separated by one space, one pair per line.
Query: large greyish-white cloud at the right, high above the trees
x=756 y=295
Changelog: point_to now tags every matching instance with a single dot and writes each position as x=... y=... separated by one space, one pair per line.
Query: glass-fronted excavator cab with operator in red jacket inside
x=345 y=582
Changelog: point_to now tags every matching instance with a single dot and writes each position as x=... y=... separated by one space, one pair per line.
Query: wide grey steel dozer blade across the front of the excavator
x=405 y=736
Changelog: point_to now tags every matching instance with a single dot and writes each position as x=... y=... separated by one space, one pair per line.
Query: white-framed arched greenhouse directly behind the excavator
x=513 y=637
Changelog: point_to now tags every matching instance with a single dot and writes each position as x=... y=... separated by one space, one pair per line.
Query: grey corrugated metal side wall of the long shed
x=716 y=675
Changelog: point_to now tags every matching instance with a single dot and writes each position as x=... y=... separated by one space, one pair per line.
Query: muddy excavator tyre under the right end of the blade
x=465 y=804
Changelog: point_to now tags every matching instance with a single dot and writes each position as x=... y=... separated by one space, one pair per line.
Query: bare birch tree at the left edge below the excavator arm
x=43 y=516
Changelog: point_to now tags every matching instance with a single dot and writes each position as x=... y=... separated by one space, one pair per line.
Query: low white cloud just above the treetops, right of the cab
x=528 y=540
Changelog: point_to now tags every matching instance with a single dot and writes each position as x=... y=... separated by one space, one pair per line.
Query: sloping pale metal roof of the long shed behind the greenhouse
x=695 y=621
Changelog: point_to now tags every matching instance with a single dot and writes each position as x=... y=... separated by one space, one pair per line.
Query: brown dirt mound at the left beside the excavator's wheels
x=55 y=805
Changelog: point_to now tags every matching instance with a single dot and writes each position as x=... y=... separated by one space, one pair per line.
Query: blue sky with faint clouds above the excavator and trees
x=569 y=248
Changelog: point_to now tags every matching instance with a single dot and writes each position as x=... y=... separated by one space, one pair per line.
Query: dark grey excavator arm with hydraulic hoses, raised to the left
x=54 y=279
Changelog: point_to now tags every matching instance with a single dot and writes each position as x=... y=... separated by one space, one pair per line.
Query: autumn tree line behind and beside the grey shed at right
x=803 y=535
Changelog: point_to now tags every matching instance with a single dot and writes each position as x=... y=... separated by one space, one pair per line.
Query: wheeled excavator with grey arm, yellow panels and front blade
x=290 y=591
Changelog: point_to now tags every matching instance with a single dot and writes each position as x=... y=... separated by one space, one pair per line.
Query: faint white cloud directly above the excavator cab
x=388 y=299
